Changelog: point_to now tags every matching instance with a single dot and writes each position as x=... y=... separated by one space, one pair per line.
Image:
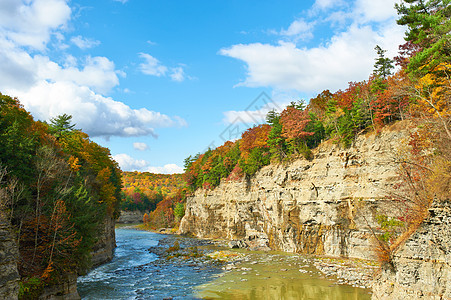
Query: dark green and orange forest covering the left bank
x=56 y=189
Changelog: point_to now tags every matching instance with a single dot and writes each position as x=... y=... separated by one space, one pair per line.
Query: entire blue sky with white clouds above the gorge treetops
x=157 y=81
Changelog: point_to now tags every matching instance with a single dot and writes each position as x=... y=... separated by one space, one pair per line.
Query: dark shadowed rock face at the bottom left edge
x=9 y=253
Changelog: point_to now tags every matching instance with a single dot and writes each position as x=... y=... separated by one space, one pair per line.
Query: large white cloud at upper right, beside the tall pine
x=347 y=56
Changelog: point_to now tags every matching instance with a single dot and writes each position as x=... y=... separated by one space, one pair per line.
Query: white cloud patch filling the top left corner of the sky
x=31 y=23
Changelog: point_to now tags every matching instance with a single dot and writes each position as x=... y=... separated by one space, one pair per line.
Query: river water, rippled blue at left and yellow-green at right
x=135 y=273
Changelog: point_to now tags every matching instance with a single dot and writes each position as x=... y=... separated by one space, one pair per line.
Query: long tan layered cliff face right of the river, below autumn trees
x=319 y=207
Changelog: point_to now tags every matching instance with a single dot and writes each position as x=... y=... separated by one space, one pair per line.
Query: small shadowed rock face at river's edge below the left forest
x=104 y=249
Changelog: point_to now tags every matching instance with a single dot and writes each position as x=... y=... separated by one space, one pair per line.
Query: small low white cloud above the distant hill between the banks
x=128 y=163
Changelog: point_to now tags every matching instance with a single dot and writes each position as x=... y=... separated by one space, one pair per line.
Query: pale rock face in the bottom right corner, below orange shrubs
x=422 y=263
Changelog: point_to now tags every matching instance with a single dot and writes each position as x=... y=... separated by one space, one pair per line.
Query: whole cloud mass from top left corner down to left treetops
x=76 y=86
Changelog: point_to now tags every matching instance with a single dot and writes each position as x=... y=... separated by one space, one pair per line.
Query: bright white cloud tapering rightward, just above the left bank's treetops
x=94 y=113
